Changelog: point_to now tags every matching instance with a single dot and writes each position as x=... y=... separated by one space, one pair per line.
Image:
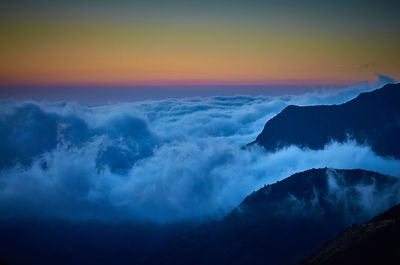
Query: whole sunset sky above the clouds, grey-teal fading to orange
x=139 y=44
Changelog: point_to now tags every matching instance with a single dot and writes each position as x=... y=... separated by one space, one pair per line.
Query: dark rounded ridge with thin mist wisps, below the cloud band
x=284 y=222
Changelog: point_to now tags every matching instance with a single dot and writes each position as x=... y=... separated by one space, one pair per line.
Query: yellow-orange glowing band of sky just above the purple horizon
x=45 y=53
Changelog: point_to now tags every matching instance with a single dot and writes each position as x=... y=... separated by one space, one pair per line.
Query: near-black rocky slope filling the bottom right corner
x=374 y=242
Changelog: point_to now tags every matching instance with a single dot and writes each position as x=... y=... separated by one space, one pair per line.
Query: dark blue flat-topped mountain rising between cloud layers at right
x=371 y=118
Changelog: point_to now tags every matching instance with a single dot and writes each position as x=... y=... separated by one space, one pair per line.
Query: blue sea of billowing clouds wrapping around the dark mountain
x=163 y=161
